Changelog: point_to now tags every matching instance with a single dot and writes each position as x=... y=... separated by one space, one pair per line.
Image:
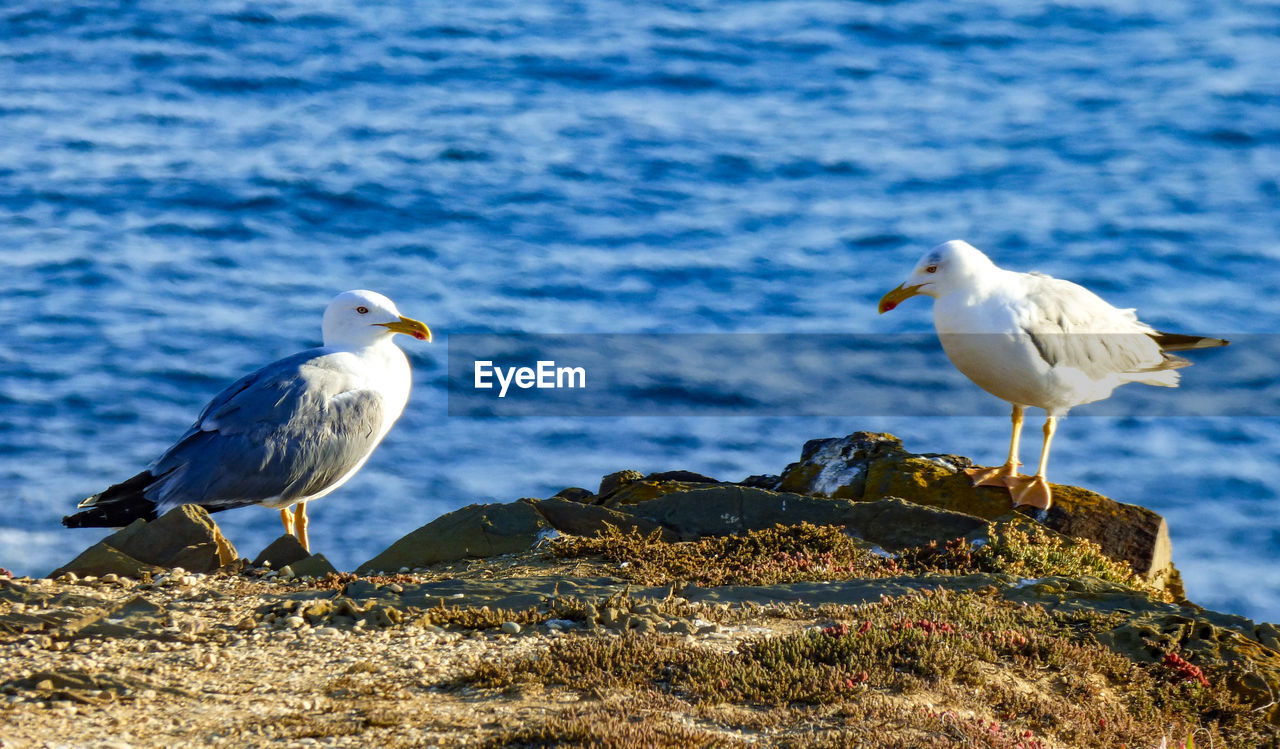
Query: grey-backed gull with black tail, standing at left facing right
x=286 y=435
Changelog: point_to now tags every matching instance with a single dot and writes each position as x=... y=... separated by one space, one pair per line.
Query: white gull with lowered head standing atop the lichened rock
x=1037 y=341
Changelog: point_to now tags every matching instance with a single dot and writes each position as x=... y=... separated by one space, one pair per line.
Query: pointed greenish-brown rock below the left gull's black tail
x=185 y=537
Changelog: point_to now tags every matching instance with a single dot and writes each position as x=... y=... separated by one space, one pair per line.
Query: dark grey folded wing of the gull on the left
x=289 y=431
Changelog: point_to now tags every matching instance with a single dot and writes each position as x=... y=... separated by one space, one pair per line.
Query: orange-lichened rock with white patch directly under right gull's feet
x=872 y=467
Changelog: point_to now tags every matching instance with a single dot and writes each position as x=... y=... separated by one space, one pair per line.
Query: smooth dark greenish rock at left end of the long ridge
x=477 y=531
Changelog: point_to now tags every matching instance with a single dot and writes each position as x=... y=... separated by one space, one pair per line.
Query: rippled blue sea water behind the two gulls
x=185 y=186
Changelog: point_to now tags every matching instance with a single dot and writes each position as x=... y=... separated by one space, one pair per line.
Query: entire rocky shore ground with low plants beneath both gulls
x=875 y=561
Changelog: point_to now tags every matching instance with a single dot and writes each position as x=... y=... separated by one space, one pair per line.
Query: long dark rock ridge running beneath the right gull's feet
x=865 y=482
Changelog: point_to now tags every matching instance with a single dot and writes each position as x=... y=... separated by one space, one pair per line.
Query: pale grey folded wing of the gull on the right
x=1071 y=326
